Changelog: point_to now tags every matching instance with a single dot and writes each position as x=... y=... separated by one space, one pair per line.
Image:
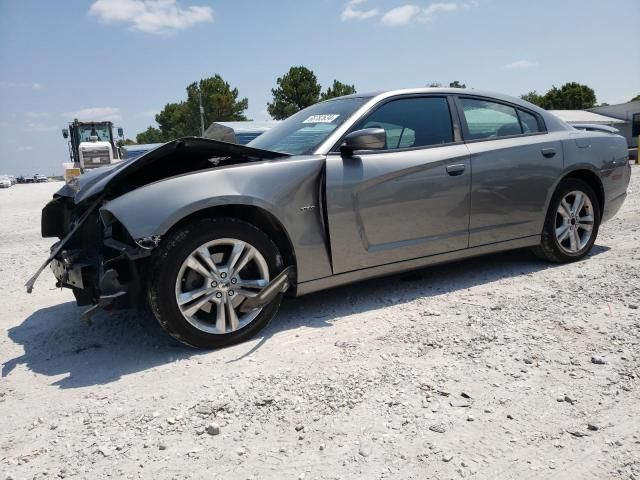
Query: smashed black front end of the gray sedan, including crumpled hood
x=96 y=256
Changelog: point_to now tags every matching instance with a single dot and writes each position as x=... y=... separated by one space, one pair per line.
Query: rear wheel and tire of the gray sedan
x=572 y=223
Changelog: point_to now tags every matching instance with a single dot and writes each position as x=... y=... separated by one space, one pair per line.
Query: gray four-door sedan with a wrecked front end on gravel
x=211 y=234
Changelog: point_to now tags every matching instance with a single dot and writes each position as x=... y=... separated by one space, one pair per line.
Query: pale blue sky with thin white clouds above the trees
x=123 y=60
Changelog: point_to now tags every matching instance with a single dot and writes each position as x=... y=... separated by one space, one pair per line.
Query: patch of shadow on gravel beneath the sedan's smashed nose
x=56 y=342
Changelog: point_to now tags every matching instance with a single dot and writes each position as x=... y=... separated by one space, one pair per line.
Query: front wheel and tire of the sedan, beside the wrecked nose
x=200 y=275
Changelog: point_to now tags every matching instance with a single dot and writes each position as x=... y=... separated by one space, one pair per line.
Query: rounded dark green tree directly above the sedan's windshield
x=295 y=90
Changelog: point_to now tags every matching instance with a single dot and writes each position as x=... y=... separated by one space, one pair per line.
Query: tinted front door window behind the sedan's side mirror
x=412 y=122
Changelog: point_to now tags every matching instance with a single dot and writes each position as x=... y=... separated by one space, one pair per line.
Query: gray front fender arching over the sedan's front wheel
x=283 y=188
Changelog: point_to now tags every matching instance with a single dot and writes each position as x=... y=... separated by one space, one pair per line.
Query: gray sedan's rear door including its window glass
x=515 y=165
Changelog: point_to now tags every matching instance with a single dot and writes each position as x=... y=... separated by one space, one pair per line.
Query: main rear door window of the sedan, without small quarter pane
x=487 y=119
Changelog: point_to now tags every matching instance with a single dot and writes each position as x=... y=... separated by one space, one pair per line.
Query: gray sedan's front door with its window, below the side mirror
x=406 y=201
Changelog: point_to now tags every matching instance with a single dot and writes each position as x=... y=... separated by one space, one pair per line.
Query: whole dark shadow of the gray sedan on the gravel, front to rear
x=56 y=342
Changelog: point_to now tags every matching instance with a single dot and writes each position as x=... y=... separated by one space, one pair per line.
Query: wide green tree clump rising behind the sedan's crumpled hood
x=219 y=101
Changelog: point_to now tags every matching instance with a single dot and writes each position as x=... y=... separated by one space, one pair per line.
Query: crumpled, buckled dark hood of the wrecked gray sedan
x=188 y=151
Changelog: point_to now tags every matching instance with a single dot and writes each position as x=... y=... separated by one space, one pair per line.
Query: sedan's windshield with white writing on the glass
x=303 y=132
